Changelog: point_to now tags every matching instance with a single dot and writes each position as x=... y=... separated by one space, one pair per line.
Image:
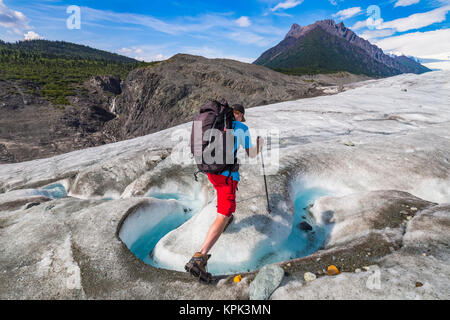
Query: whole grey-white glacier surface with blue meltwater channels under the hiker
x=374 y=159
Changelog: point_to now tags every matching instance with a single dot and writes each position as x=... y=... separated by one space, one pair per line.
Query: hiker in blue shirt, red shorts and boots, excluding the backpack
x=225 y=185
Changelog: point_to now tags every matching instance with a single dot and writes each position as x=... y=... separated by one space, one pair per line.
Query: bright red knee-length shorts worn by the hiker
x=226 y=193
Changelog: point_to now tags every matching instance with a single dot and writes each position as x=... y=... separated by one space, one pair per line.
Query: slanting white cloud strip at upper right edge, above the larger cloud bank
x=417 y=20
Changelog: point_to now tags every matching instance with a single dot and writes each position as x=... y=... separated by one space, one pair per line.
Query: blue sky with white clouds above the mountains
x=241 y=30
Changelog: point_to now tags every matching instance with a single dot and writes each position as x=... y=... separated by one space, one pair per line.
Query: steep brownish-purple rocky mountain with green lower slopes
x=325 y=46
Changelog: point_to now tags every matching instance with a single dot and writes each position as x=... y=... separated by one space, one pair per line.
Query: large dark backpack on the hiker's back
x=211 y=144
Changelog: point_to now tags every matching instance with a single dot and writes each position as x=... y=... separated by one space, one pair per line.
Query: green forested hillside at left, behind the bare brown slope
x=53 y=69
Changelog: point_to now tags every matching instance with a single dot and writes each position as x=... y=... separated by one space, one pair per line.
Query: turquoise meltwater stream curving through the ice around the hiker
x=306 y=236
